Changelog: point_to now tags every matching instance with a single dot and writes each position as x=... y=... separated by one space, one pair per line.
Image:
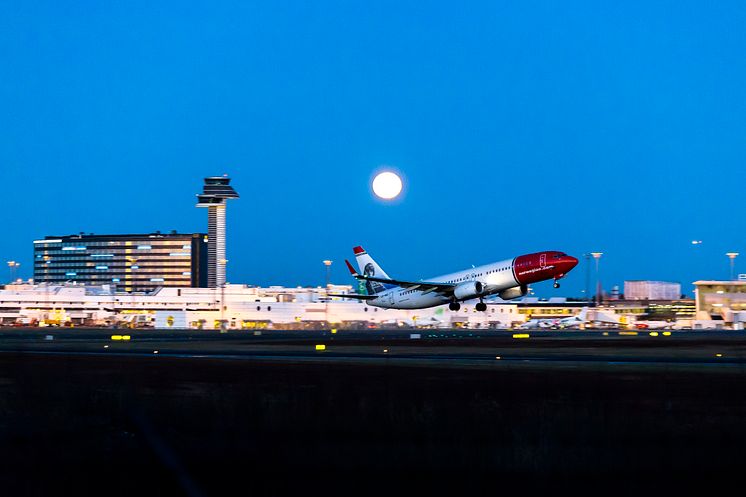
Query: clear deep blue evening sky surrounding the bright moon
x=518 y=126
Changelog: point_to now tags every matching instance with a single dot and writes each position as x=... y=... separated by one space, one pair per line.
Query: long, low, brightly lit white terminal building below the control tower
x=231 y=307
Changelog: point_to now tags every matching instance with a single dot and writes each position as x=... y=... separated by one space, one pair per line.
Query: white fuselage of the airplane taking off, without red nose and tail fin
x=495 y=278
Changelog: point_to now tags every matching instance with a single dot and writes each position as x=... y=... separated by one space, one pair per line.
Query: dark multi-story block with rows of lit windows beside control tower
x=131 y=263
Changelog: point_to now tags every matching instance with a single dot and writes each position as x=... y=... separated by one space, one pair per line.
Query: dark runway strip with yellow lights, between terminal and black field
x=475 y=348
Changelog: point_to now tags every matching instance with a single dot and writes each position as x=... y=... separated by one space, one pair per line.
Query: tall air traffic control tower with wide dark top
x=214 y=194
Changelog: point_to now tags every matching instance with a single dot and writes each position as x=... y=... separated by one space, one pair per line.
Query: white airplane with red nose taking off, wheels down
x=509 y=279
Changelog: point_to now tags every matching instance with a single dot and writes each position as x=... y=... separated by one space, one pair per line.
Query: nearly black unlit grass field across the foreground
x=155 y=425
